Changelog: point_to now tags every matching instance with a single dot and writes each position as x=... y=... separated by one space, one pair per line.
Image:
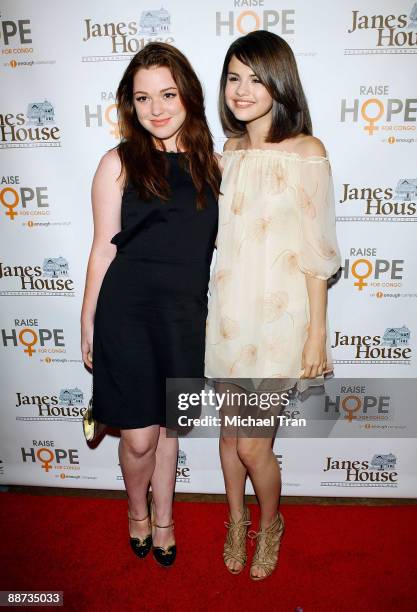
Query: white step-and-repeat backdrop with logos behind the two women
x=60 y=65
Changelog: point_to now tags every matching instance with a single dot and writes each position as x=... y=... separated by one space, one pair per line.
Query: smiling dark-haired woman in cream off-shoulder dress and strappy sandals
x=276 y=248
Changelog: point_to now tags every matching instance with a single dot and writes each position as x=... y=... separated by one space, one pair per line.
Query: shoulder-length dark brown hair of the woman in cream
x=272 y=60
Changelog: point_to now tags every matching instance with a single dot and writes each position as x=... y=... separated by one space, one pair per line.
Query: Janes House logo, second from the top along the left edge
x=52 y=278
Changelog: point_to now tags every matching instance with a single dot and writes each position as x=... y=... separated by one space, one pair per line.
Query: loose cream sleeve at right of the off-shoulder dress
x=318 y=250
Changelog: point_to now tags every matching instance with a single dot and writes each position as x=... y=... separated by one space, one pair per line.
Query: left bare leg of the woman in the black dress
x=137 y=449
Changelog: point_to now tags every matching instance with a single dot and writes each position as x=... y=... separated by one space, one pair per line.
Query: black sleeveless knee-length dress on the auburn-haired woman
x=152 y=306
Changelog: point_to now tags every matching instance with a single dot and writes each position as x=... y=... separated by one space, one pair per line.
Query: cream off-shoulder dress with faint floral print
x=276 y=224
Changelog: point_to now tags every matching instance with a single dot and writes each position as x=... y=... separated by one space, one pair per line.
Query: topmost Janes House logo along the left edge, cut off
x=35 y=128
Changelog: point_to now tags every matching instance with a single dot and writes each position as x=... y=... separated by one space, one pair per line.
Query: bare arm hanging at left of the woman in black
x=106 y=195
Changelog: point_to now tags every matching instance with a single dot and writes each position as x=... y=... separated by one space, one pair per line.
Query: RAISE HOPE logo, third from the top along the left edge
x=30 y=339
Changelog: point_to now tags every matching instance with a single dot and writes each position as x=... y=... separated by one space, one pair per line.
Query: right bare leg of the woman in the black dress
x=163 y=485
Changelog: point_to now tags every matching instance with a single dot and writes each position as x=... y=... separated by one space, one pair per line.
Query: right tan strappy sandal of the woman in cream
x=267 y=547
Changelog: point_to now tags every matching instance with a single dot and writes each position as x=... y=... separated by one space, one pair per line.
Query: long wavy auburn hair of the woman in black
x=141 y=164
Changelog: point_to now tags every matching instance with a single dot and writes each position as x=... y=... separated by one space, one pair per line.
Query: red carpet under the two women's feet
x=342 y=558
